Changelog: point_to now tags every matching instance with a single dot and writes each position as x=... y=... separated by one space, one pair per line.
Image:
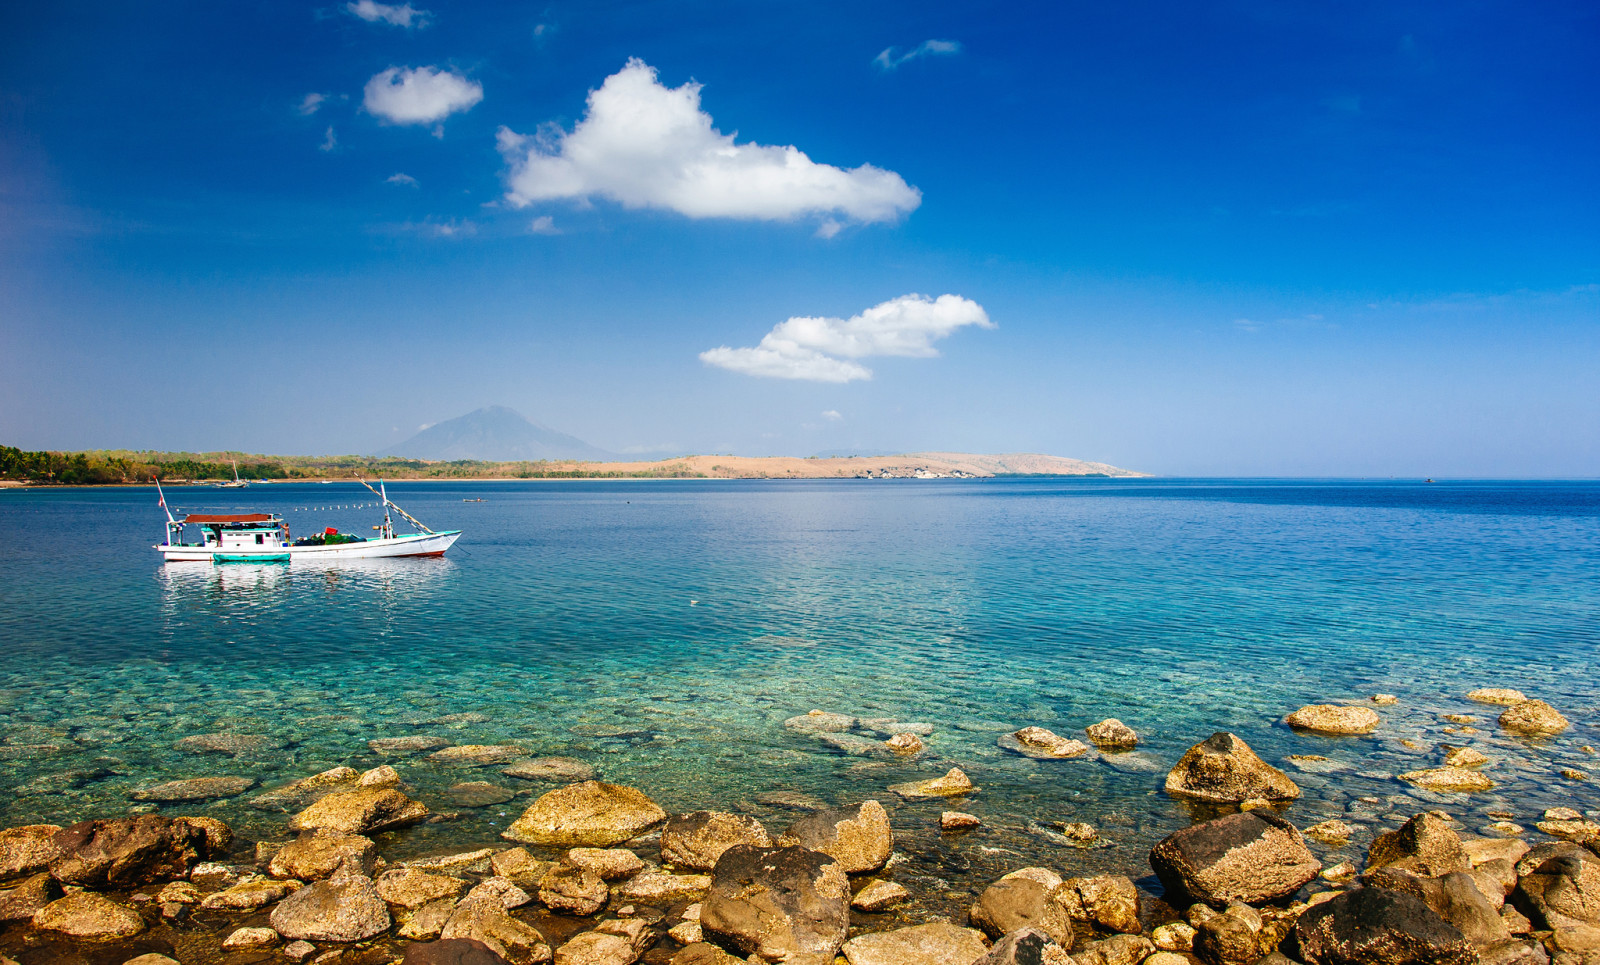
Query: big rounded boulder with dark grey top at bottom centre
x=780 y=905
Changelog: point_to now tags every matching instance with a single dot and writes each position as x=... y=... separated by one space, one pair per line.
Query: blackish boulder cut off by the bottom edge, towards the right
x=1380 y=927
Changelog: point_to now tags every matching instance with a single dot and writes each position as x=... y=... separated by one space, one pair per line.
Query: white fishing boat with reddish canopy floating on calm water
x=265 y=539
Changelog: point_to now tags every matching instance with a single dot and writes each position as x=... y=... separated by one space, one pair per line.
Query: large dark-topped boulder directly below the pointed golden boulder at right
x=1250 y=857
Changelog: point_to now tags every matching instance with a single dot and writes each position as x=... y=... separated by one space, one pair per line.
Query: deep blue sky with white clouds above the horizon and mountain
x=1188 y=239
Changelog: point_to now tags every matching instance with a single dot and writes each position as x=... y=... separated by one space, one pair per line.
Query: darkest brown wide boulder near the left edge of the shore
x=127 y=852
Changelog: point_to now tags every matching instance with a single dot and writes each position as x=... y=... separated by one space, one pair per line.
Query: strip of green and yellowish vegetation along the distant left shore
x=129 y=466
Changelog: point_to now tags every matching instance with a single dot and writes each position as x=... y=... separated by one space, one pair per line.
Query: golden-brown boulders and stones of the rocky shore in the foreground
x=599 y=875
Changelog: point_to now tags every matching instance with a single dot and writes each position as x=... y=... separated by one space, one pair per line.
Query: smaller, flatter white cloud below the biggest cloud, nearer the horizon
x=822 y=350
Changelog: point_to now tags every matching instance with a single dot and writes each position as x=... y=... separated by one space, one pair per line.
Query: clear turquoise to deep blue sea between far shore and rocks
x=665 y=631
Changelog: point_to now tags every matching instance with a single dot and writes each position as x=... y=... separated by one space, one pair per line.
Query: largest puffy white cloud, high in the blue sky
x=650 y=146
